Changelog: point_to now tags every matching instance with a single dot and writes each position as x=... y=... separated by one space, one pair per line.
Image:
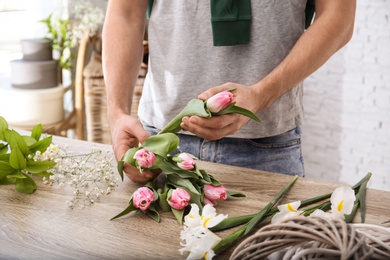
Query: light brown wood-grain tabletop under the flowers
x=41 y=226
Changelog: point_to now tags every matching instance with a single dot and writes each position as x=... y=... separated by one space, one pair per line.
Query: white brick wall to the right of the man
x=347 y=105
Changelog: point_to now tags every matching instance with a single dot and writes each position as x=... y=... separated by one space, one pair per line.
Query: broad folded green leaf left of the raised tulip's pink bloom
x=194 y=107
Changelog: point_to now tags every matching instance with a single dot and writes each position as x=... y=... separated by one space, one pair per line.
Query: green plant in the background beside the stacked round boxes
x=58 y=31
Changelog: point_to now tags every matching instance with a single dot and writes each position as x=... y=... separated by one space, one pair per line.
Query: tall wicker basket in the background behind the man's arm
x=95 y=97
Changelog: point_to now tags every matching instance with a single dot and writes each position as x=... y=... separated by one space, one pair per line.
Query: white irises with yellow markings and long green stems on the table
x=200 y=240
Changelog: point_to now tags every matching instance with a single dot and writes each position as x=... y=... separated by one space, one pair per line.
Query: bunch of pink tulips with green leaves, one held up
x=180 y=182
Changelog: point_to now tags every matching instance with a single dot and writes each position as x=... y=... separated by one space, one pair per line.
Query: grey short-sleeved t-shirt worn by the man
x=183 y=61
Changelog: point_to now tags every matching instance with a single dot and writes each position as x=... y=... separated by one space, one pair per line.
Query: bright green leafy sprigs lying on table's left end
x=16 y=157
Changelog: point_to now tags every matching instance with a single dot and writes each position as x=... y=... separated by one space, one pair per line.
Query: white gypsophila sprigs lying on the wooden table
x=91 y=175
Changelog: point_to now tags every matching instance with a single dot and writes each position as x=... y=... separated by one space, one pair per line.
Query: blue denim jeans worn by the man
x=280 y=154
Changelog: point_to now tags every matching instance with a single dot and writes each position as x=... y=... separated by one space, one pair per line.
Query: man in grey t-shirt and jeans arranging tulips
x=199 y=48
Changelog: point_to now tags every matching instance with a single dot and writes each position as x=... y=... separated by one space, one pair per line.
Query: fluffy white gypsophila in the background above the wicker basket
x=86 y=19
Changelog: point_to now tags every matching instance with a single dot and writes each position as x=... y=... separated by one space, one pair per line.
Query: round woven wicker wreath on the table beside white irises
x=316 y=238
